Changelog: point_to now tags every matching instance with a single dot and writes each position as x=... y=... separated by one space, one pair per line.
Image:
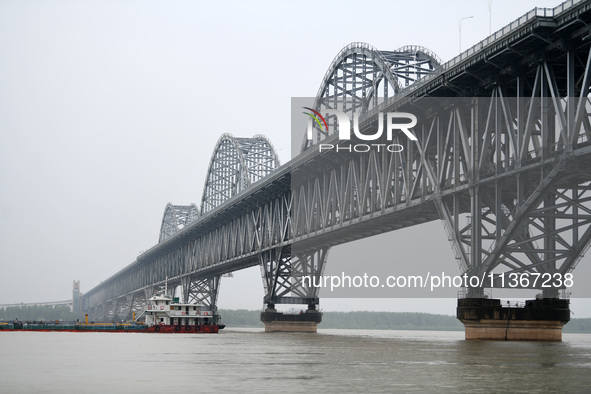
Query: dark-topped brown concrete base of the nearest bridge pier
x=539 y=320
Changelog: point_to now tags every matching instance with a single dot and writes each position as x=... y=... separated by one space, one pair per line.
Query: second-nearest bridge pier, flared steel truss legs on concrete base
x=282 y=278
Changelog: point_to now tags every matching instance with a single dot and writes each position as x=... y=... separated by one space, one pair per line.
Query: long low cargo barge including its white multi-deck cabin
x=163 y=314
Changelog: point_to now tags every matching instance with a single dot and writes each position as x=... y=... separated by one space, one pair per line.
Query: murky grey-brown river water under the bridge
x=248 y=360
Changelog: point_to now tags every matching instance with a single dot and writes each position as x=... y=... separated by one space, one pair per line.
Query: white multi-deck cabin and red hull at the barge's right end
x=165 y=314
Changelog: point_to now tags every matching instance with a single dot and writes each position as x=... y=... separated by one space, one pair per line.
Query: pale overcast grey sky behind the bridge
x=111 y=109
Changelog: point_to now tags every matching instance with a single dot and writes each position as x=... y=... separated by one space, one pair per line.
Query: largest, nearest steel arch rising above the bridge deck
x=360 y=76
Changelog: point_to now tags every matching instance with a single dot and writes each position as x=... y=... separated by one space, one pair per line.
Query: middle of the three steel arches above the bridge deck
x=236 y=163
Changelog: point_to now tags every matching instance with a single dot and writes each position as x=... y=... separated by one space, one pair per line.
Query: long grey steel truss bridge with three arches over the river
x=502 y=158
